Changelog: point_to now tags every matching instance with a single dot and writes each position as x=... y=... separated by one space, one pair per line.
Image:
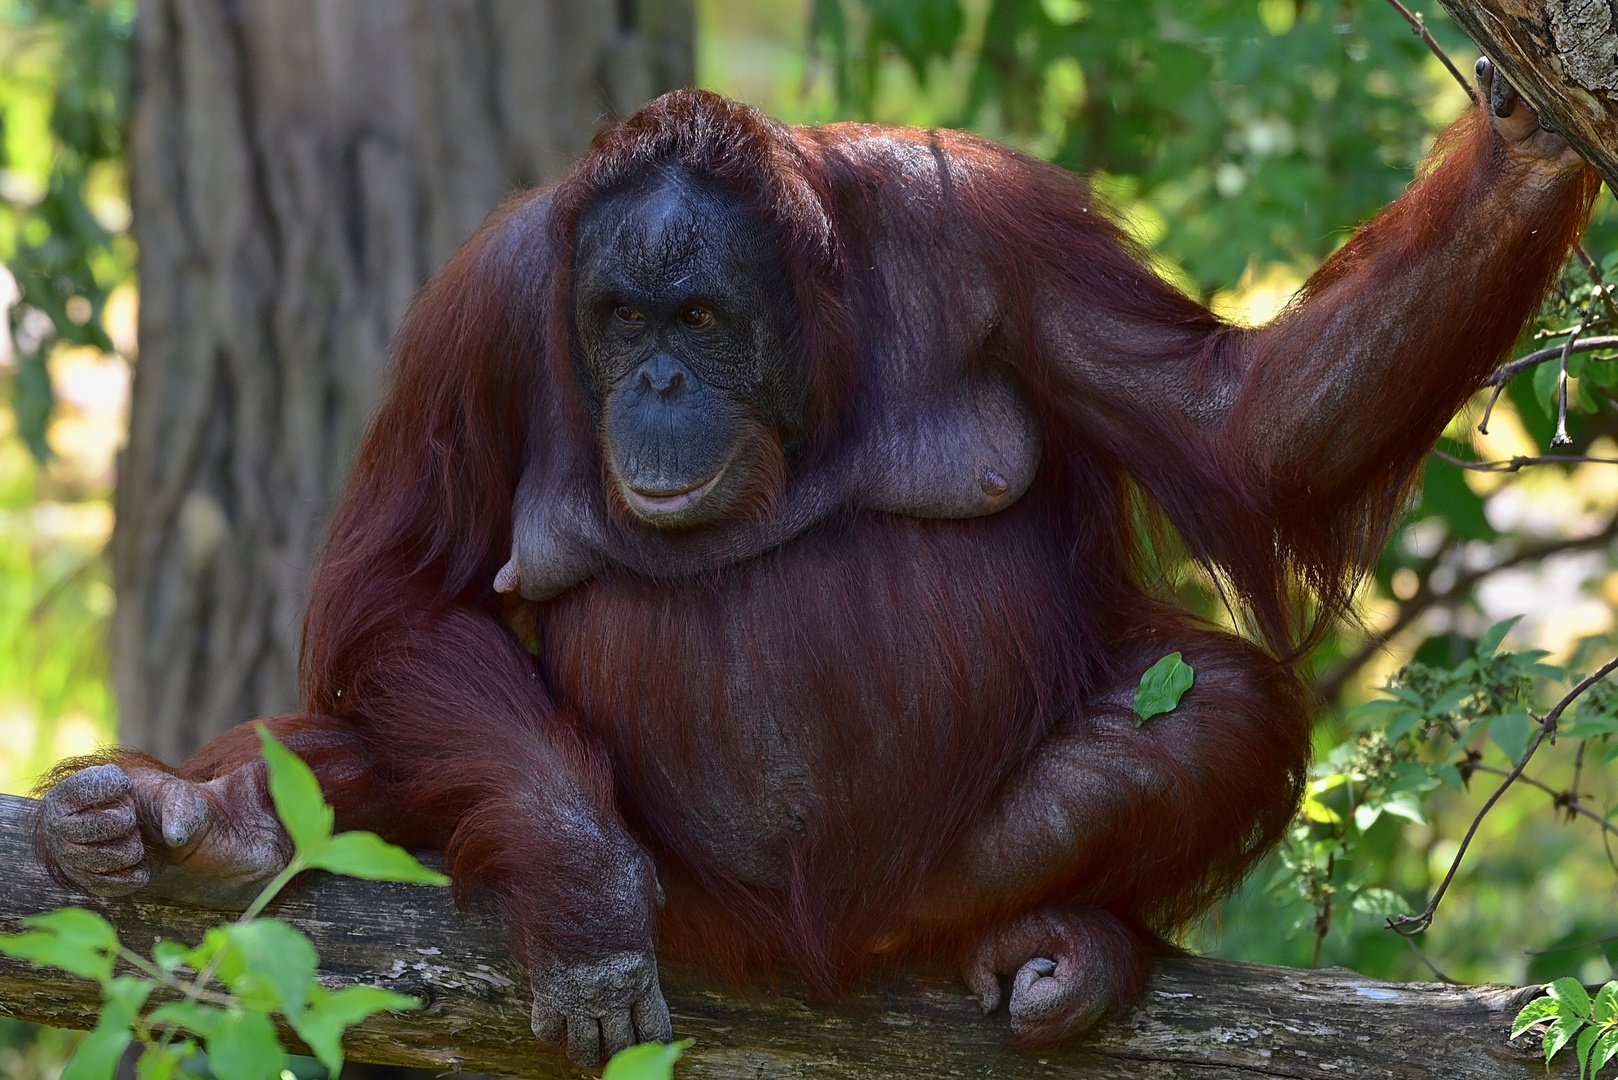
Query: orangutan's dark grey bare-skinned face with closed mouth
x=684 y=328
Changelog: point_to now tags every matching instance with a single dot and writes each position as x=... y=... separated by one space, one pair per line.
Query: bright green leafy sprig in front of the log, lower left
x=240 y=976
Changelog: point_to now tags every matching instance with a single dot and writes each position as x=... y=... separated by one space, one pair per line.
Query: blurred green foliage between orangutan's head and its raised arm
x=1256 y=130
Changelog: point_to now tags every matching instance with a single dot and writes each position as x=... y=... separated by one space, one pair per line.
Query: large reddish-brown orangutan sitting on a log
x=755 y=521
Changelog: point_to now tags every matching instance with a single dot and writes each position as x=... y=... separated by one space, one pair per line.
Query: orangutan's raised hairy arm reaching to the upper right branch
x=1282 y=453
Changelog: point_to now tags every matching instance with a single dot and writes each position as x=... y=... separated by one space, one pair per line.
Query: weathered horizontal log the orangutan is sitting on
x=1201 y=1019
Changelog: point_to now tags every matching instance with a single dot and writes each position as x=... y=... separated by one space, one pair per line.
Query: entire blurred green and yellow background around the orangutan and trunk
x=1239 y=140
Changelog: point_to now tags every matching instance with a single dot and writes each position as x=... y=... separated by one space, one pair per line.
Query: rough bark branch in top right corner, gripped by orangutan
x=1564 y=59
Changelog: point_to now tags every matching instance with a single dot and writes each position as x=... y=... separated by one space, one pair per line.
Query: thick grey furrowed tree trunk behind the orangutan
x=300 y=168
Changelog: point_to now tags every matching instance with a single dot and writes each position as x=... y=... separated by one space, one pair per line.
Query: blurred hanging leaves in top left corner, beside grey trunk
x=64 y=104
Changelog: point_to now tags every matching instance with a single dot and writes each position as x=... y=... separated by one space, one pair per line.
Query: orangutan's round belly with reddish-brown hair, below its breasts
x=857 y=676
